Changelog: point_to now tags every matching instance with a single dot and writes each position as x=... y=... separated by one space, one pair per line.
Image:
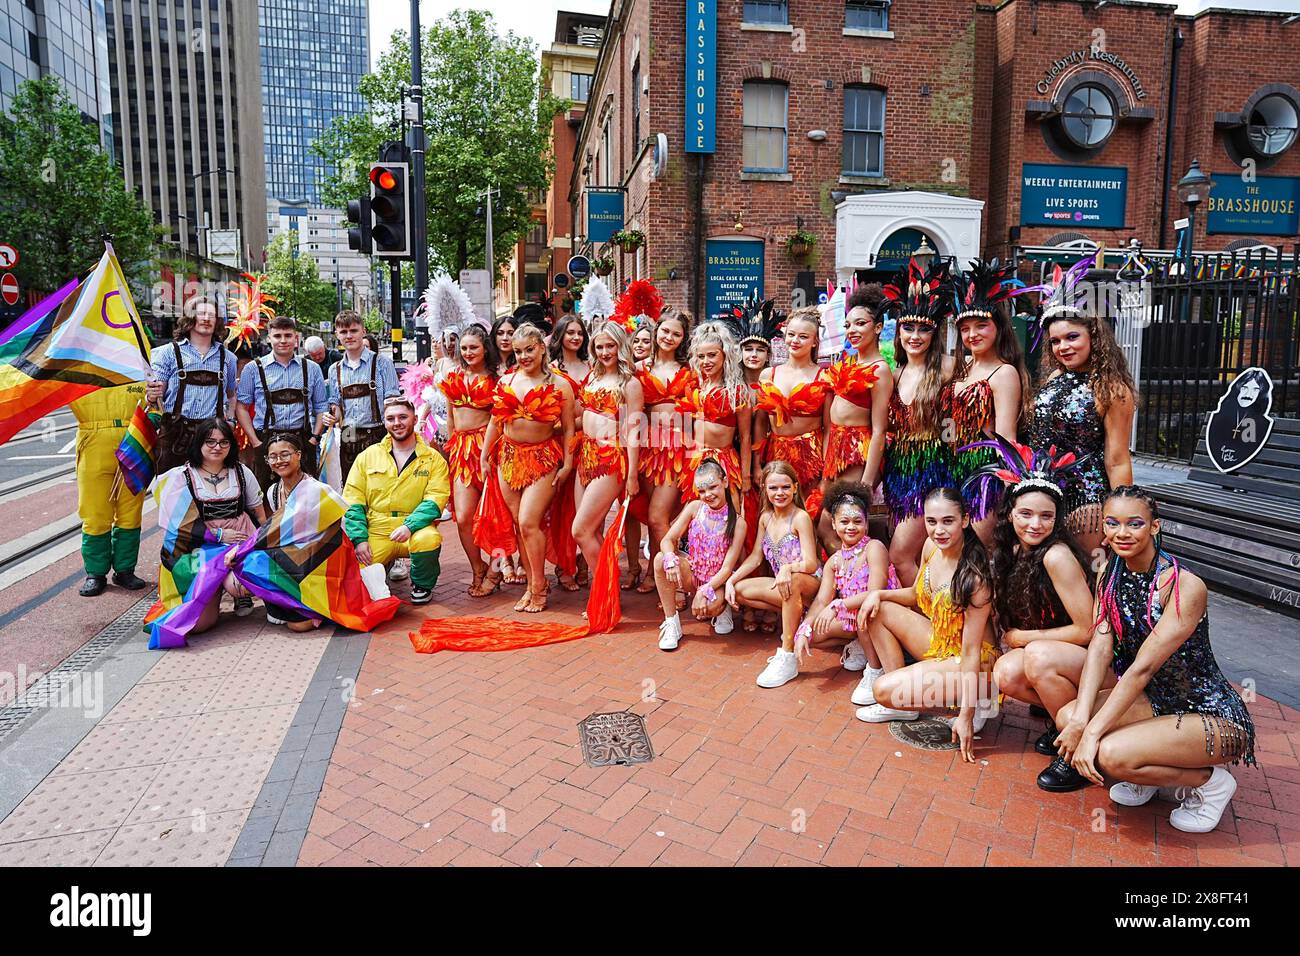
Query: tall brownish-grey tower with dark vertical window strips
x=187 y=98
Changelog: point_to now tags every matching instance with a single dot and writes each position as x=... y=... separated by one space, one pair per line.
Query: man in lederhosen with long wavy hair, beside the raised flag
x=196 y=379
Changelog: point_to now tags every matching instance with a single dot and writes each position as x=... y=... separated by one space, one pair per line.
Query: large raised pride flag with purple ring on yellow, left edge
x=86 y=336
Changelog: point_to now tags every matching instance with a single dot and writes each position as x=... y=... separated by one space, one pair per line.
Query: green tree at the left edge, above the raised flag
x=60 y=193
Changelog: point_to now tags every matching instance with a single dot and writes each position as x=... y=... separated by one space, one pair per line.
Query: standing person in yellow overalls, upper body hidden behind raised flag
x=110 y=513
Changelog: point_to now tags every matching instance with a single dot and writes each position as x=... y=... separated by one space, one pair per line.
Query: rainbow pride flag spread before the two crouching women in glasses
x=300 y=560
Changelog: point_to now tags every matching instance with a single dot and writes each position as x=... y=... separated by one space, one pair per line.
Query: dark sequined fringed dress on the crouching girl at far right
x=1190 y=682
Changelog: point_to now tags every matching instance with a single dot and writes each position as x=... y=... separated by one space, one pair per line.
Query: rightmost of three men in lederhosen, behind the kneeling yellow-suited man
x=358 y=386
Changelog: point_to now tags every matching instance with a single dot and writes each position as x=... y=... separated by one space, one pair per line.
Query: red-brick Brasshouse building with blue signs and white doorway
x=874 y=126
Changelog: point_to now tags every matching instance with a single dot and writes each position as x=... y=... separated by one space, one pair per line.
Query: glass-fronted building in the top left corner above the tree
x=59 y=38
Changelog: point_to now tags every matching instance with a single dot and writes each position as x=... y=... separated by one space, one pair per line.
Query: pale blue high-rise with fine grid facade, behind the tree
x=314 y=54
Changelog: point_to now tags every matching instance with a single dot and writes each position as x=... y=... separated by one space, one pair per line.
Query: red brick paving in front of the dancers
x=474 y=759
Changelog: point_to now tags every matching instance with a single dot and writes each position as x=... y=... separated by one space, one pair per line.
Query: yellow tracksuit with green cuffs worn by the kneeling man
x=380 y=500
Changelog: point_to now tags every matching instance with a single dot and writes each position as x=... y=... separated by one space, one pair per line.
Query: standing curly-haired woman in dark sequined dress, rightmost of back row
x=1085 y=403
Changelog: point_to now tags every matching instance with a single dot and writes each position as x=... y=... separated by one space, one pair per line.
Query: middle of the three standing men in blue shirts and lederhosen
x=288 y=395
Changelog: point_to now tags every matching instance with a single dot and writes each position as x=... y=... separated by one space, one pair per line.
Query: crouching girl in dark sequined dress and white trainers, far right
x=1150 y=674
